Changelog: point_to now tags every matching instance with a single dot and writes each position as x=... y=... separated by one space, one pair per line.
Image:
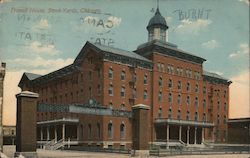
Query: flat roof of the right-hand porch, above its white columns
x=183 y=122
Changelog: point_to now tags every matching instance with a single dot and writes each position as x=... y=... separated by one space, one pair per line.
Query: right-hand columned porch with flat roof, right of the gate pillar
x=180 y=131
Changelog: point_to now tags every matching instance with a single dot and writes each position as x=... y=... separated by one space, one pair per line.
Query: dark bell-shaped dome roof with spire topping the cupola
x=157 y=20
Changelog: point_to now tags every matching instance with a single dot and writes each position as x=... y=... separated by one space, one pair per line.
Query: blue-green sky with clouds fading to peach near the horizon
x=43 y=36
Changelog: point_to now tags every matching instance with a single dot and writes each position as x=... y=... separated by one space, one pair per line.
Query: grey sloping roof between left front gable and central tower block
x=120 y=52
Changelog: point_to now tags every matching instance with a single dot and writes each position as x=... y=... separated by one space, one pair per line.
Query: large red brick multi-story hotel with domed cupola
x=89 y=102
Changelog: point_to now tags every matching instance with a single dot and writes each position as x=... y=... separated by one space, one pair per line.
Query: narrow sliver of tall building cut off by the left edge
x=2 y=74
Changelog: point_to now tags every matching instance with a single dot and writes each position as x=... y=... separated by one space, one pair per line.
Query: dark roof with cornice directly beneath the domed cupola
x=167 y=49
